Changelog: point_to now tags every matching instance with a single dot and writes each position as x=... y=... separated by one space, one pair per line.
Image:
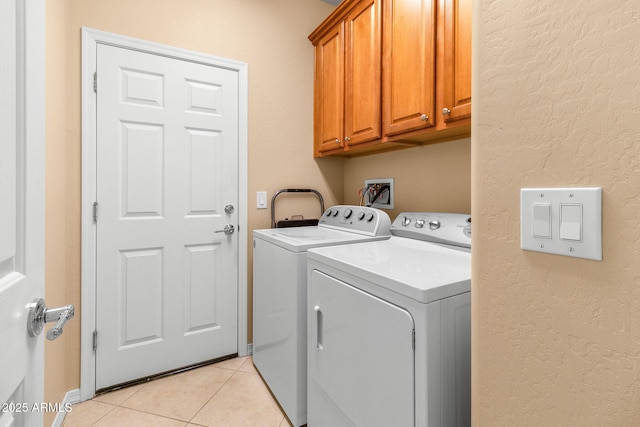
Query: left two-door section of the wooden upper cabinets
x=347 y=80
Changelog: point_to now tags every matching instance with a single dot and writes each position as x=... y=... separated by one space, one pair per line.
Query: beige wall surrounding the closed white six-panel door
x=271 y=36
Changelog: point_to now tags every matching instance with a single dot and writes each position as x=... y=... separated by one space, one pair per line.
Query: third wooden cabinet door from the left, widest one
x=408 y=66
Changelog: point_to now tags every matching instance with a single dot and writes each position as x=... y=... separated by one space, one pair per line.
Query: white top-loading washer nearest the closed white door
x=280 y=296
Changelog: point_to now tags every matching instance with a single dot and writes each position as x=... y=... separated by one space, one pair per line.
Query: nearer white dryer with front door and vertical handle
x=389 y=327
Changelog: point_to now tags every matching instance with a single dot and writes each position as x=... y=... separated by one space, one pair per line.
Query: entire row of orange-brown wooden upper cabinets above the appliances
x=386 y=70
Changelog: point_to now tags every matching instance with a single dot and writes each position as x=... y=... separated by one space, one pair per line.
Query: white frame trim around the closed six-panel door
x=90 y=40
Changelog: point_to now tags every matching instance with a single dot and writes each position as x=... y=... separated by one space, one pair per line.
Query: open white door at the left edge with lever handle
x=21 y=208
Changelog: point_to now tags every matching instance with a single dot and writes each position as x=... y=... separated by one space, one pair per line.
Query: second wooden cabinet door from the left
x=362 y=73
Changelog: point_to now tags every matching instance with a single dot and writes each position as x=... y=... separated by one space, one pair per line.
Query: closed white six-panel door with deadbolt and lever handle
x=167 y=189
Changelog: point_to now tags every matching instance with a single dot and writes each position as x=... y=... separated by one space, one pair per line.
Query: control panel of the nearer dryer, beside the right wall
x=438 y=227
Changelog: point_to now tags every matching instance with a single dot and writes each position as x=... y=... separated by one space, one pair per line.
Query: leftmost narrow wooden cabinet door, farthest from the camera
x=329 y=92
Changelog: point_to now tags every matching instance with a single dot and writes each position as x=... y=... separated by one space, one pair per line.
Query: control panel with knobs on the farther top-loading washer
x=358 y=219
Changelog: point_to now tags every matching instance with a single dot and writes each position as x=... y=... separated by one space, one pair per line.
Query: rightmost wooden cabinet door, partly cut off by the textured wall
x=456 y=60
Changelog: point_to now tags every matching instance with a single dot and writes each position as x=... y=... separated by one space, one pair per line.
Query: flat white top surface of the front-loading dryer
x=419 y=270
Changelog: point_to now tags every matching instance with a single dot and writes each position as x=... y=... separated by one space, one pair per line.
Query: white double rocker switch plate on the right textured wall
x=581 y=237
